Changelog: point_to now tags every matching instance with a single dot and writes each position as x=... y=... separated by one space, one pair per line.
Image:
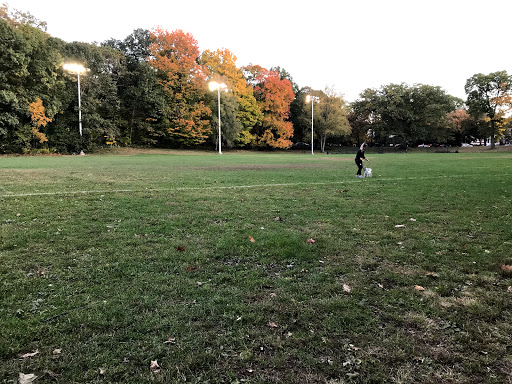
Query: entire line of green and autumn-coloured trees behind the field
x=151 y=89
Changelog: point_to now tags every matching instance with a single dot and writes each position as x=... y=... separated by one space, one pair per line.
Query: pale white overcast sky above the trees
x=347 y=45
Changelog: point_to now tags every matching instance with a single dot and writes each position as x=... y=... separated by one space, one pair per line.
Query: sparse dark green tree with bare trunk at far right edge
x=490 y=96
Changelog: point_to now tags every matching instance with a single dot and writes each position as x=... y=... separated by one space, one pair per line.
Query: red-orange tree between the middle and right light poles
x=274 y=96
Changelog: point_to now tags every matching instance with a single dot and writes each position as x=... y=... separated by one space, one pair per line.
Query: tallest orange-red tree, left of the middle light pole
x=175 y=56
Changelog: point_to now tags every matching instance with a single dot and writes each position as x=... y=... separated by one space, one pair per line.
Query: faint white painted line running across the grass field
x=215 y=187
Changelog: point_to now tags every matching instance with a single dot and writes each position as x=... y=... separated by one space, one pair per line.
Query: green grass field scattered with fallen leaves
x=202 y=262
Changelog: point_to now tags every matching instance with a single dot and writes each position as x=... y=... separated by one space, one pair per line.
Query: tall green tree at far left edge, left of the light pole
x=29 y=61
